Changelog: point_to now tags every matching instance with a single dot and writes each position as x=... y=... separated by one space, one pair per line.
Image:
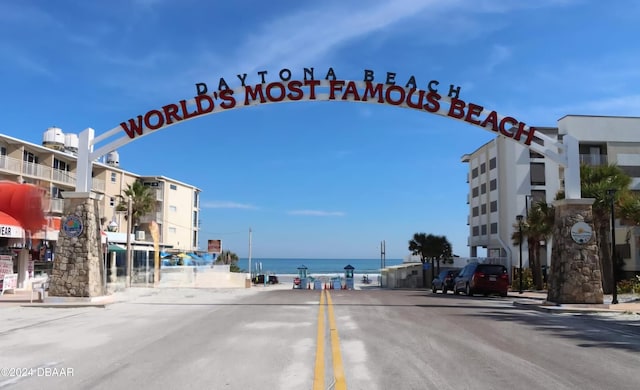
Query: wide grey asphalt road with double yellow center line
x=267 y=339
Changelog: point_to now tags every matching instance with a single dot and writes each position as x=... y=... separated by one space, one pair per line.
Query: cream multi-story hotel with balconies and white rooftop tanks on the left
x=53 y=166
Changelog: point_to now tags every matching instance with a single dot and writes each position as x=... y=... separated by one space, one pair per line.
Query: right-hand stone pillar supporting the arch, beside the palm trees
x=575 y=263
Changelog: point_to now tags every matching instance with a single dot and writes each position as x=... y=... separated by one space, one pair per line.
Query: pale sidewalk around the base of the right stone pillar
x=537 y=300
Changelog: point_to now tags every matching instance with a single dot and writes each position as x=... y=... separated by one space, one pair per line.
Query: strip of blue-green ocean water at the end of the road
x=314 y=266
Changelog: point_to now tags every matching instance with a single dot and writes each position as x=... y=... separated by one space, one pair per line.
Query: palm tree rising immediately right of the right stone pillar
x=596 y=181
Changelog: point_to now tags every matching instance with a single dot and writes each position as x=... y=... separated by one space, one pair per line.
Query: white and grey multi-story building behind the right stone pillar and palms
x=505 y=179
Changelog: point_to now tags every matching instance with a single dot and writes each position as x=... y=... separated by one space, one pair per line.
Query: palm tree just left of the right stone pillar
x=537 y=227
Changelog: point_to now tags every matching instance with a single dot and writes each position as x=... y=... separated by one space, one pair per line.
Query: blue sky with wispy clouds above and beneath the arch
x=314 y=179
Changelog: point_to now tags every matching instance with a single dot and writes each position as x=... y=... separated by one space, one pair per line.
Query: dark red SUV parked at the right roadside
x=477 y=278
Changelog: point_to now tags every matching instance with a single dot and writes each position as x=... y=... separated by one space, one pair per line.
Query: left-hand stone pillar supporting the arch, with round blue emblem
x=78 y=265
